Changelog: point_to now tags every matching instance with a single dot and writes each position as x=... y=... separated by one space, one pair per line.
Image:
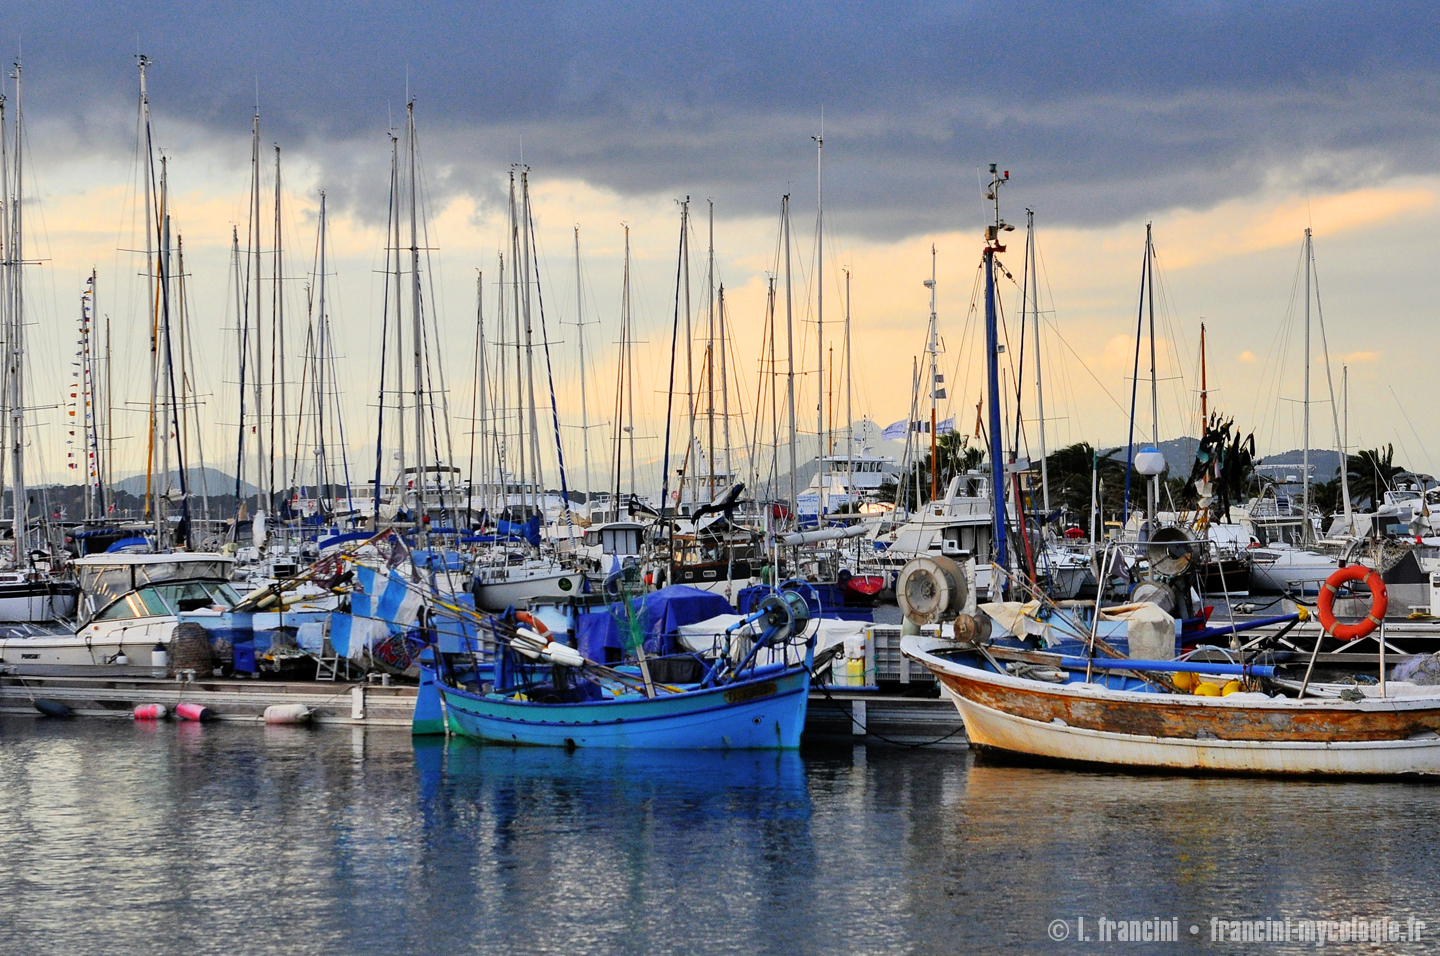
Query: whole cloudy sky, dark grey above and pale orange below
x=1230 y=129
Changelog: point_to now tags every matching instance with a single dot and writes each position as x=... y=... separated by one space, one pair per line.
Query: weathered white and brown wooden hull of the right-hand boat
x=1091 y=725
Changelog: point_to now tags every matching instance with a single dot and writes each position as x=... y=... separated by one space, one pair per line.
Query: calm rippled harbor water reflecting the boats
x=222 y=839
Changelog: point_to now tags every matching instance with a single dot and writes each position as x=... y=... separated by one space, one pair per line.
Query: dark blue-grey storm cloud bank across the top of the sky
x=1102 y=113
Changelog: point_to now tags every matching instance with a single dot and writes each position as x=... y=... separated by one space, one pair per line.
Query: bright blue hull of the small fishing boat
x=767 y=712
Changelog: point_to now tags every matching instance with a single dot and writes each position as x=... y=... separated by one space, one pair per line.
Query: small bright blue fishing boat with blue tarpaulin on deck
x=541 y=693
